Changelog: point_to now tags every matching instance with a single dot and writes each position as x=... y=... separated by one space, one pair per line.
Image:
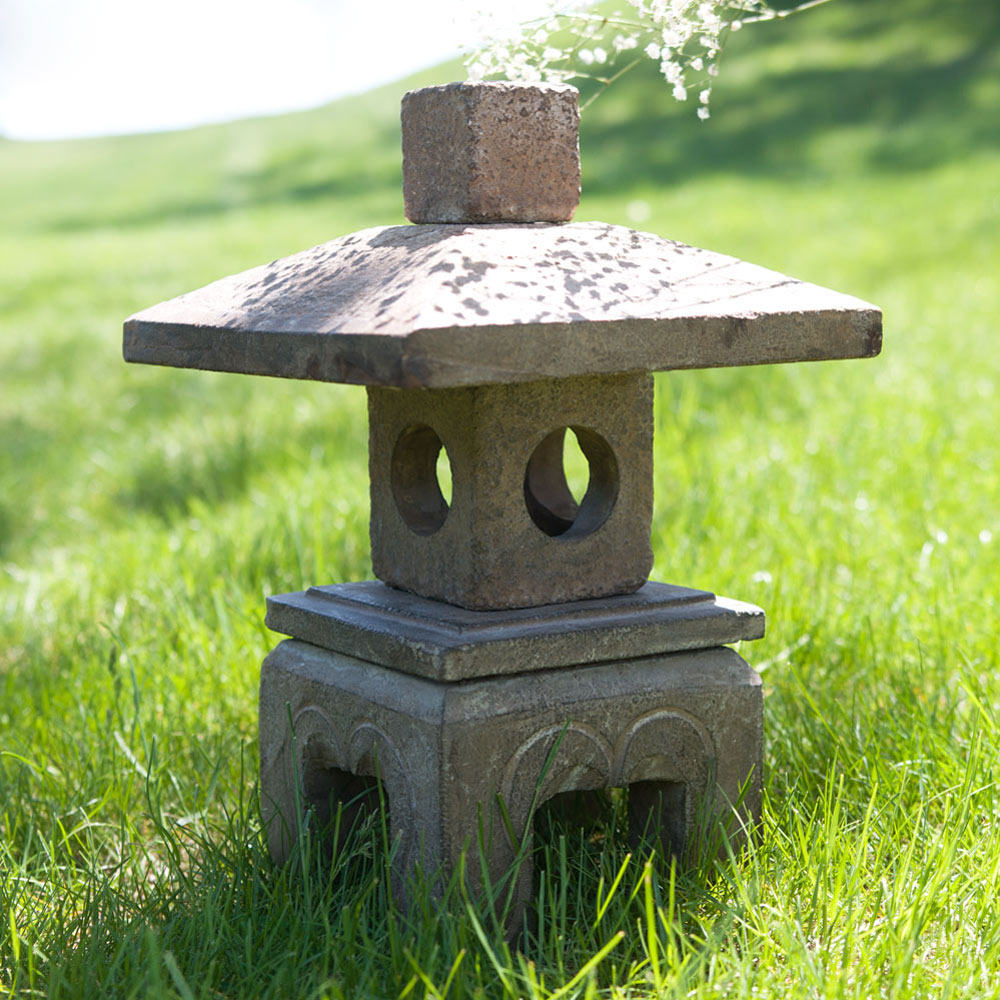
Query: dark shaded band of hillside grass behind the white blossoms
x=912 y=111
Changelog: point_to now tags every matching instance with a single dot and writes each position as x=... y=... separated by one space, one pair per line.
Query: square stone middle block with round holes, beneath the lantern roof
x=513 y=536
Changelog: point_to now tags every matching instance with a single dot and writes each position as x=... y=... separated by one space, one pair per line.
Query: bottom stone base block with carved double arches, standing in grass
x=682 y=731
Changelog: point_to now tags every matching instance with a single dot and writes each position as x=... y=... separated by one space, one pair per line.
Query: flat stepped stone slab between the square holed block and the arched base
x=370 y=621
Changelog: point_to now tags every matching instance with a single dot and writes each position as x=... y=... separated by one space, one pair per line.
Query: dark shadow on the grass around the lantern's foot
x=221 y=918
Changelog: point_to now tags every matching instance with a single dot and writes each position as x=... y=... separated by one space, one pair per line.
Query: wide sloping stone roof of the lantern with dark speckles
x=438 y=306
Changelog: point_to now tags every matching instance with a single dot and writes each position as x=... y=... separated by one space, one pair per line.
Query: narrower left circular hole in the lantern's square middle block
x=419 y=466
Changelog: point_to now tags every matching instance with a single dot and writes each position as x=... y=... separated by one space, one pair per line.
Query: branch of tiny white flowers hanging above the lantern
x=685 y=37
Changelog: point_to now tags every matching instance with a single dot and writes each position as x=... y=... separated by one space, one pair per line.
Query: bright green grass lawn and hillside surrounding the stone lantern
x=145 y=513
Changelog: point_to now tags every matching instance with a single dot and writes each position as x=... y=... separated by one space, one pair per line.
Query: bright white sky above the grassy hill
x=73 y=68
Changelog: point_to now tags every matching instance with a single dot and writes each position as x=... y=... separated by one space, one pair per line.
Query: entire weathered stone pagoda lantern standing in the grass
x=511 y=649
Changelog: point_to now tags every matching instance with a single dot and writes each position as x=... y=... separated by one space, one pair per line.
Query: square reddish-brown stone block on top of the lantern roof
x=491 y=152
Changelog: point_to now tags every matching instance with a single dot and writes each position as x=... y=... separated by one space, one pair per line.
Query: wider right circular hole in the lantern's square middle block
x=571 y=482
